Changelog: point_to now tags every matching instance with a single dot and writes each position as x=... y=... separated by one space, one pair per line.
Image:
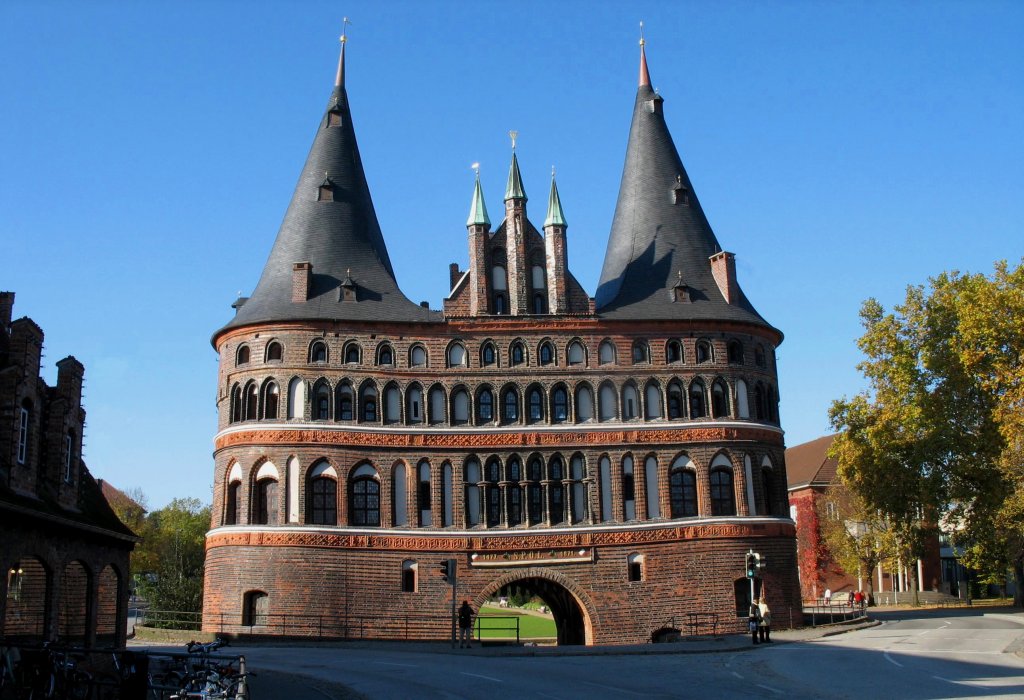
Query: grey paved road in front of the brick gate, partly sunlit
x=957 y=654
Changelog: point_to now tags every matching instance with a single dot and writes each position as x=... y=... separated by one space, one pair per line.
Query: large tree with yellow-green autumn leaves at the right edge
x=940 y=430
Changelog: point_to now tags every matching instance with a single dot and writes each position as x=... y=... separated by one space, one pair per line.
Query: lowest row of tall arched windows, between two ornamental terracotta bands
x=509 y=493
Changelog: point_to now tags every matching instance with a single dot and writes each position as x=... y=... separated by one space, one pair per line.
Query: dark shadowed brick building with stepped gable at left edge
x=64 y=552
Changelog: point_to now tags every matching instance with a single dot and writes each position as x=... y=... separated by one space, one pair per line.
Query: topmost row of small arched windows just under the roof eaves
x=518 y=354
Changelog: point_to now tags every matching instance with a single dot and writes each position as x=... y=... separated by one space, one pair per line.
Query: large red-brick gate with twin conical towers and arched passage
x=616 y=456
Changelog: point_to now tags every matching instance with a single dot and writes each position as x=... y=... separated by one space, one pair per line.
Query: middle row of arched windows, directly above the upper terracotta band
x=486 y=406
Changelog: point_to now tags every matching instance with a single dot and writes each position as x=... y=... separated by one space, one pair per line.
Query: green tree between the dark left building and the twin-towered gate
x=174 y=555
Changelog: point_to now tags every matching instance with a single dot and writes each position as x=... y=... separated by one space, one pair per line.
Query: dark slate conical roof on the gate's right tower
x=660 y=231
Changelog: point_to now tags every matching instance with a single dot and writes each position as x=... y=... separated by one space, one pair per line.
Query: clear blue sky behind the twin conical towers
x=149 y=151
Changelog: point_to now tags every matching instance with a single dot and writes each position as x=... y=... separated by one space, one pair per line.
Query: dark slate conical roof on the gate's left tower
x=336 y=231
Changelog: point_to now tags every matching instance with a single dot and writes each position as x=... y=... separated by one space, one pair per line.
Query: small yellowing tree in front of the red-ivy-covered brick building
x=858 y=537
